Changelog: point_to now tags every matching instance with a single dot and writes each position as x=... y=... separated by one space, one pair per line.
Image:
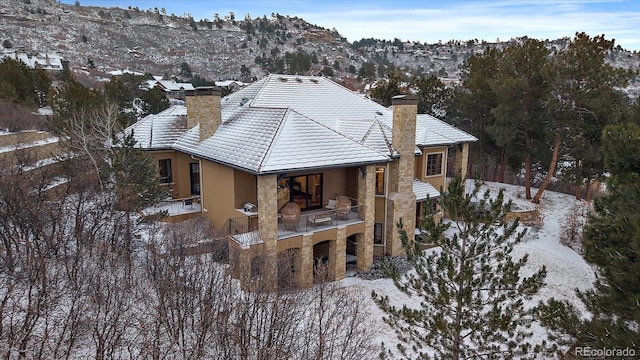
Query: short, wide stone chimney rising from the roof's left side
x=204 y=108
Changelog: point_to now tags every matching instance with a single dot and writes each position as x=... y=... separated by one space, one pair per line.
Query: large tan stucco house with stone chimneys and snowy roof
x=302 y=166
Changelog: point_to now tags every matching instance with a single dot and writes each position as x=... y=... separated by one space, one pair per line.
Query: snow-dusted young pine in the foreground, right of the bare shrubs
x=472 y=297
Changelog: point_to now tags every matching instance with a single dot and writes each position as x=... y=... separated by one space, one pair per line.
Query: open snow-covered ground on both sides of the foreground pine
x=566 y=270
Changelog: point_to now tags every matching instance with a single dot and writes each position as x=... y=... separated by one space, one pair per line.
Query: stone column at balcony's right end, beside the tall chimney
x=366 y=212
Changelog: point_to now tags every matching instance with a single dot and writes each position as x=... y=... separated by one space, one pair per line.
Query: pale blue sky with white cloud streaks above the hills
x=429 y=21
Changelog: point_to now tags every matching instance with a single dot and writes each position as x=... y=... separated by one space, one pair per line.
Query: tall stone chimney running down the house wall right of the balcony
x=402 y=201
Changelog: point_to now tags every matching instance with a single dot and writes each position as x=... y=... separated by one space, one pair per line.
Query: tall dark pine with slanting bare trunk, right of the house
x=583 y=99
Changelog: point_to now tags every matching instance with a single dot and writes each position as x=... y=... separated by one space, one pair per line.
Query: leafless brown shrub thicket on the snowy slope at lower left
x=71 y=287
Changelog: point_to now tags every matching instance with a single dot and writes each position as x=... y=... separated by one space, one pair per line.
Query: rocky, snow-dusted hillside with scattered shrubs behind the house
x=150 y=40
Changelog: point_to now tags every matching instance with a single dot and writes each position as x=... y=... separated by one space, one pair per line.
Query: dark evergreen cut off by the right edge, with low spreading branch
x=612 y=242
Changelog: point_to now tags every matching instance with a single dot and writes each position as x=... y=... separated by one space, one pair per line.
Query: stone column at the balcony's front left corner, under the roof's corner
x=268 y=225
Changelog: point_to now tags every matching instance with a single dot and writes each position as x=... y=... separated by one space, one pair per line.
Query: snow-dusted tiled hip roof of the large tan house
x=283 y=123
